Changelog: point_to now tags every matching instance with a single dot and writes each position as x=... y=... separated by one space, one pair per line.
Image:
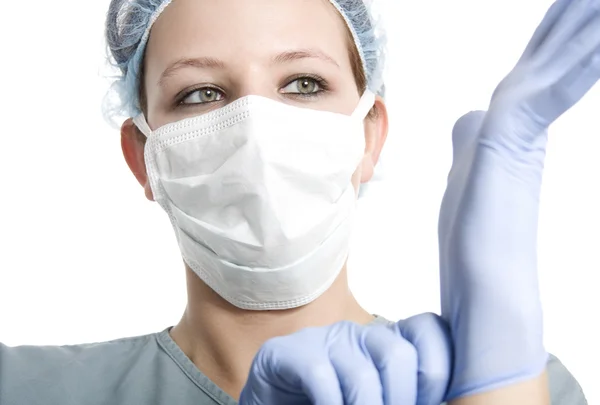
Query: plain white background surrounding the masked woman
x=84 y=257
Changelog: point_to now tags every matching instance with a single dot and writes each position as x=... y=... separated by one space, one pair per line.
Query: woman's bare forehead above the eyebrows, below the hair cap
x=237 y=29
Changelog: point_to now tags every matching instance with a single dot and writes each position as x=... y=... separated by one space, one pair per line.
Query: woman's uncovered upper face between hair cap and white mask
x=203 y=54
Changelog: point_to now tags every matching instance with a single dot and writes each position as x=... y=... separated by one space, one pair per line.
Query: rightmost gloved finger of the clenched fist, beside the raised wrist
x=430 y=335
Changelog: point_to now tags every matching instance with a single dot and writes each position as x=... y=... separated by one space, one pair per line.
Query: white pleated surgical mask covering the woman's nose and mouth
x=260 y=196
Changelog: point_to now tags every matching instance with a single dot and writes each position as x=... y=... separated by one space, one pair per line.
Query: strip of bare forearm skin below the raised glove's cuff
x=530 y=392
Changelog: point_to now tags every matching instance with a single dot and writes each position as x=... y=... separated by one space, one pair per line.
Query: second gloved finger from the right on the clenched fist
x=396 y=361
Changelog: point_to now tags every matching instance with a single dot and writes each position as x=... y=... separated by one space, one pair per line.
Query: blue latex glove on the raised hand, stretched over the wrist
x=488 y=219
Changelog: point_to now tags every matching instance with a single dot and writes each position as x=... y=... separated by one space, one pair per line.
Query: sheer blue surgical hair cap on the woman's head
x=128 y=27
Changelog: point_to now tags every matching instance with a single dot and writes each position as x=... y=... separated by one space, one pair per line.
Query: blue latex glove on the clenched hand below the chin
x=350 y=364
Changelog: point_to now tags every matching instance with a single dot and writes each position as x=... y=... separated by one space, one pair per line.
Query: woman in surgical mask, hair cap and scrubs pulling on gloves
x=253 y=128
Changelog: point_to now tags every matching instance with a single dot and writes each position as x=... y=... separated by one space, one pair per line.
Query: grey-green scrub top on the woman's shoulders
x=145 y=370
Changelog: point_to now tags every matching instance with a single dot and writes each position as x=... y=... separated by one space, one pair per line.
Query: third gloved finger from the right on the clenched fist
x=358 y=376
